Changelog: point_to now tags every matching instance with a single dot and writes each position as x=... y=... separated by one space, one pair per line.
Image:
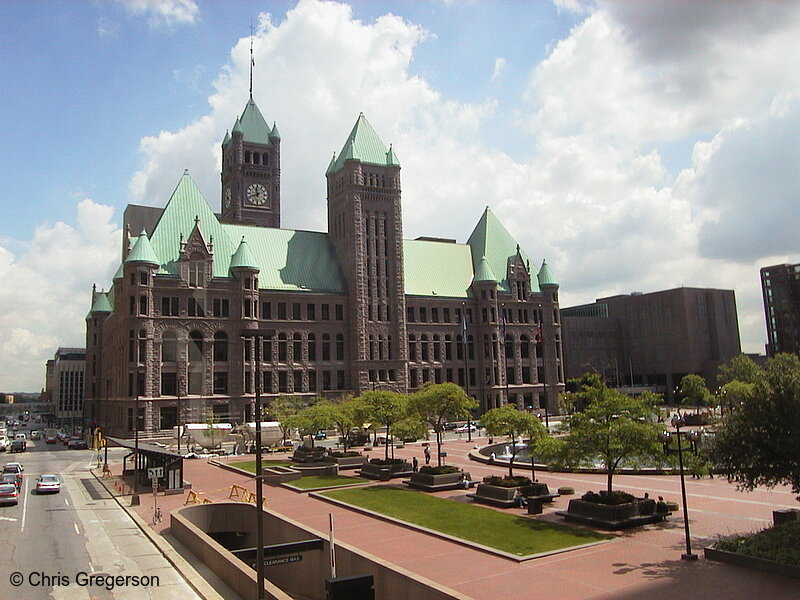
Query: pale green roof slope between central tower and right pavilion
x=436 y=269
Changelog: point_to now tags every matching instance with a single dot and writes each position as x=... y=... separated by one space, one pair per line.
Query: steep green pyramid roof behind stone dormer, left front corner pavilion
x=185 y=210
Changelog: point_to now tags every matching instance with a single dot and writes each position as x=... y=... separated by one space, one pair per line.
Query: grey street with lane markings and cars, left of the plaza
x=76 y=544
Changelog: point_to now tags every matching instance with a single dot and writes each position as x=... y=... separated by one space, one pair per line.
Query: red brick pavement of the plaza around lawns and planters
x=643 y=564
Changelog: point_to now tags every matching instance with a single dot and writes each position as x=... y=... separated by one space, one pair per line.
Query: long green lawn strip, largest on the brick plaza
x=504 y=531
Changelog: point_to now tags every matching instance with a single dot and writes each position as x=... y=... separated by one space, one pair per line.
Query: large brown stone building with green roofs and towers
x=354 y=309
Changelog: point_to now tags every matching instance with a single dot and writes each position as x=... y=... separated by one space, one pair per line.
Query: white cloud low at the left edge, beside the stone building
x=46 y=291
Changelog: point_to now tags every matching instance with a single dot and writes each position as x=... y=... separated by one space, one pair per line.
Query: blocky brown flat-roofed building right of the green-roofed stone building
x=653 y=339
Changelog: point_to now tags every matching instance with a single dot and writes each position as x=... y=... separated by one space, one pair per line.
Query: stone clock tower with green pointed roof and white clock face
x=251 y=171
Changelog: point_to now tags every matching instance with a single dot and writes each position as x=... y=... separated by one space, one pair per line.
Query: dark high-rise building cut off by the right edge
x=780 y=286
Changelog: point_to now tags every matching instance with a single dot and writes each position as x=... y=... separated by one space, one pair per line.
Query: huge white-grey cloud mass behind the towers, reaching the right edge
x=605 y=107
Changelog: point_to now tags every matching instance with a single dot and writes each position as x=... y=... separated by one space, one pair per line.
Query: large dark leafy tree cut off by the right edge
x=759 y=442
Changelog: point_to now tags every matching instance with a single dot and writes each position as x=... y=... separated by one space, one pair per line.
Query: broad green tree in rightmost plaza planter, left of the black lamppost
x=614 y=427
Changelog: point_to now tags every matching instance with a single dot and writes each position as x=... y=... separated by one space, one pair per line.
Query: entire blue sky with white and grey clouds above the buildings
x=635 y=145
